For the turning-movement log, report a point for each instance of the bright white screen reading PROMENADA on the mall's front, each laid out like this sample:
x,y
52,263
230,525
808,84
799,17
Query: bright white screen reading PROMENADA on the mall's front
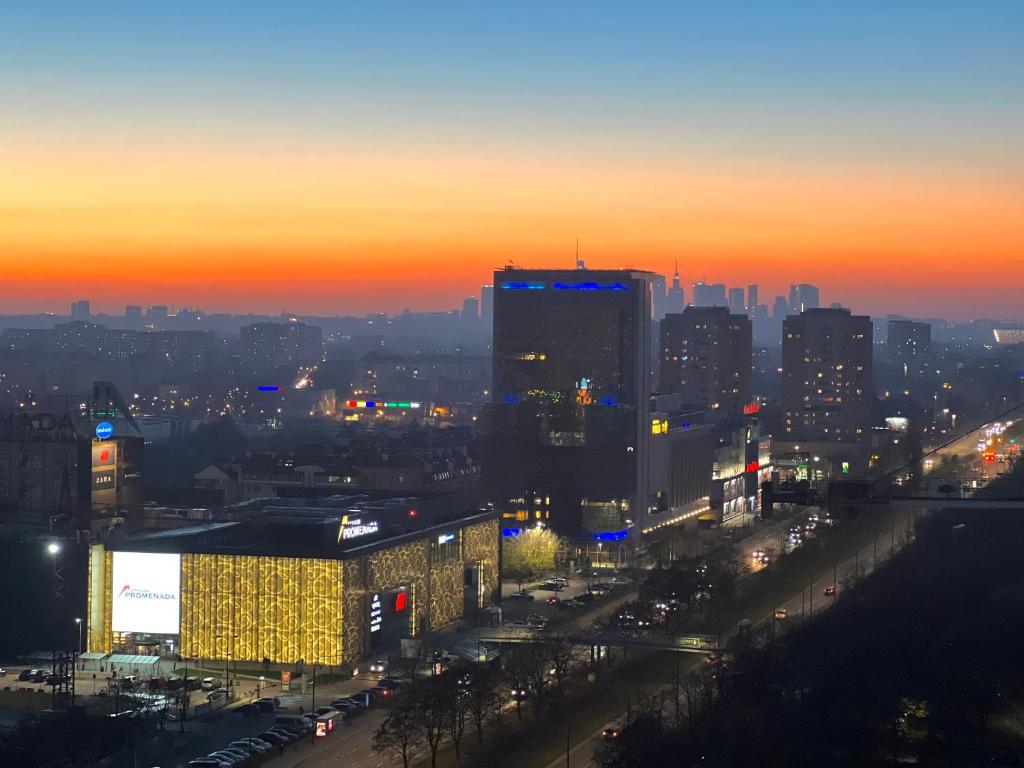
x,y
147,593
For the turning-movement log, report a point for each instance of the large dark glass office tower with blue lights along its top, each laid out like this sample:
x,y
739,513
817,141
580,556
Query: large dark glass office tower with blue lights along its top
x,y
568,432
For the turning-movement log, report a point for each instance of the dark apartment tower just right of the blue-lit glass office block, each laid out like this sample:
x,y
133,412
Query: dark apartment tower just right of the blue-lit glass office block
x,y
706,357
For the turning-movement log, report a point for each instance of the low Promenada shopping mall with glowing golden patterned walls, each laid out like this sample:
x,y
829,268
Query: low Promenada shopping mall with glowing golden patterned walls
x,y
324,582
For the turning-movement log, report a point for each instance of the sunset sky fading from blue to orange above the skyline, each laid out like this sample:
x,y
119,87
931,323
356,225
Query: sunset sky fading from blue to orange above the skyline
x,y
338,159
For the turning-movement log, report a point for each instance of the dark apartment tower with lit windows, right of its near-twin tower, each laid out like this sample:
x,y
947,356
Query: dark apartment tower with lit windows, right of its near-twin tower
x,y
827,376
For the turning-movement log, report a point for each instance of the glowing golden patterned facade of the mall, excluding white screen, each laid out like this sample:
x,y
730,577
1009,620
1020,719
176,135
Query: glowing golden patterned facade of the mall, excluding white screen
x,y
290,609
